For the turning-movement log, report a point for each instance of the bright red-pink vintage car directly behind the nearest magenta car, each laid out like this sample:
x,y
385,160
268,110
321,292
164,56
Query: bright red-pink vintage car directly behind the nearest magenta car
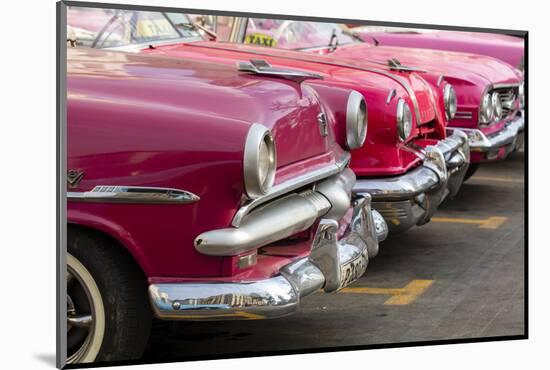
x,y
408,164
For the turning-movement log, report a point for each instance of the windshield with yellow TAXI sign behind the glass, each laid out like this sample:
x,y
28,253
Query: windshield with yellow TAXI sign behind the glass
x,y
295,35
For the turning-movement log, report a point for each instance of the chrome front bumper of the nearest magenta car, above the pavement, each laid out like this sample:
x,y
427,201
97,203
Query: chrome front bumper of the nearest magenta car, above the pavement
x,y
331,265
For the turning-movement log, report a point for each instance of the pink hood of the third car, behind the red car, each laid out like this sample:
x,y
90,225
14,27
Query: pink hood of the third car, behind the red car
x,y
476,69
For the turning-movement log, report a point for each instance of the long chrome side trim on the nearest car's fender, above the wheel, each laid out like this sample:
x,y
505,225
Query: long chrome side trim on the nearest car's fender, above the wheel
x,y
133,194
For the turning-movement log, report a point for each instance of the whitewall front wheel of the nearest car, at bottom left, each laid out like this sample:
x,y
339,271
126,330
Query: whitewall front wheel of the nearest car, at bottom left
x,y
108,312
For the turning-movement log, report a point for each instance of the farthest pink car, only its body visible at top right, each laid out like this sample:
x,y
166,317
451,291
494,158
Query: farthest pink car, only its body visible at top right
x,y
509,49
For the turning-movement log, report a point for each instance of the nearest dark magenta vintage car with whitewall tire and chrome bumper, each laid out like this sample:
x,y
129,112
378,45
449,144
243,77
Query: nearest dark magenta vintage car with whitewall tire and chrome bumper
x,y
182,204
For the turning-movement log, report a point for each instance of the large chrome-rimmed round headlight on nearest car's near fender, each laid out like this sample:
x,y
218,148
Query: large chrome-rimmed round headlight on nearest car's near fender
x,y
260,161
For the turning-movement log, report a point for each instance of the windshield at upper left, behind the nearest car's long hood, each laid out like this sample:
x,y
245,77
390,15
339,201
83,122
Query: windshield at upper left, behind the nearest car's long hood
x,y
105,28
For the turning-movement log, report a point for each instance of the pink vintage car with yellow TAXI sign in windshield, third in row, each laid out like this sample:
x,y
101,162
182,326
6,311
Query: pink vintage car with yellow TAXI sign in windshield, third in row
x,y
489,92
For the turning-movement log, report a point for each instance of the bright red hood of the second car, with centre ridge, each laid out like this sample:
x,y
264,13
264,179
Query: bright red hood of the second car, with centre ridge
x,y
358,72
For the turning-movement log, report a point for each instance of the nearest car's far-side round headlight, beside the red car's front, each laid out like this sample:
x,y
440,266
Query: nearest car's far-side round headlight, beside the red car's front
x,y
356,120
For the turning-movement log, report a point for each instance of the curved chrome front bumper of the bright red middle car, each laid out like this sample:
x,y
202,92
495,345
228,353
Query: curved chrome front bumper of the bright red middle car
x,y
410,199
